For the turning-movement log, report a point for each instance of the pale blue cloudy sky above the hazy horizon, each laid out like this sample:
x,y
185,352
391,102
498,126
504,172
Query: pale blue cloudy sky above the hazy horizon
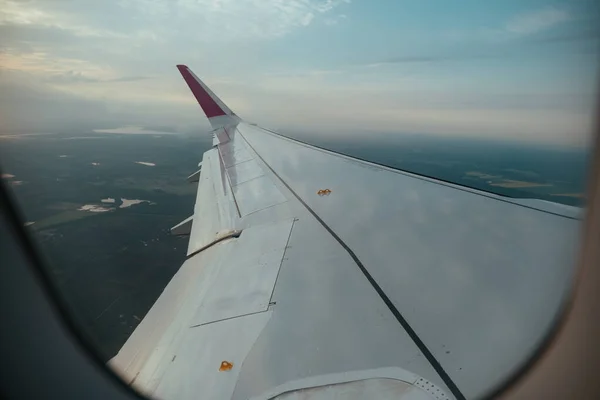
x,y
510,69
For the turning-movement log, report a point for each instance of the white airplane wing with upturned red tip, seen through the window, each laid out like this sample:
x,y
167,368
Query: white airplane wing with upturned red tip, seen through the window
x,y
311,273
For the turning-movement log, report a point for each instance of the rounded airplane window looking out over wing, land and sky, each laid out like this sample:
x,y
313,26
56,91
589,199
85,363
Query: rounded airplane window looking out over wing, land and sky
x,y
438,209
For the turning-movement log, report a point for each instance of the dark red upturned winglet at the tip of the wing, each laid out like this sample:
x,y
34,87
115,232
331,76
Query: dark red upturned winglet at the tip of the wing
x,y
216,111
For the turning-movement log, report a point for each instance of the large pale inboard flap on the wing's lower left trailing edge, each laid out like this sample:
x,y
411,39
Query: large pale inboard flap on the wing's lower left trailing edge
x,y
212,310
